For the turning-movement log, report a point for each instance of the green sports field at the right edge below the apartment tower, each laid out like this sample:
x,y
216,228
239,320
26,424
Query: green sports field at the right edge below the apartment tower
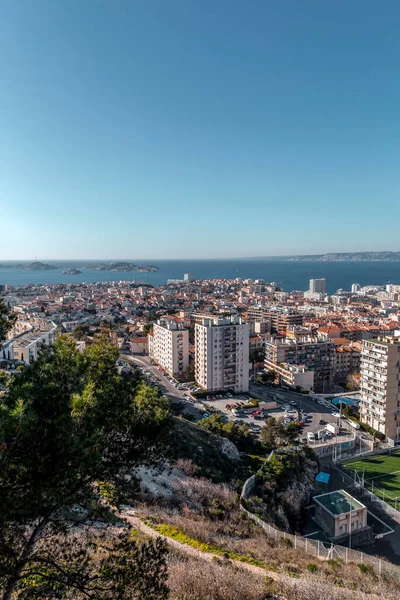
x,y
381,475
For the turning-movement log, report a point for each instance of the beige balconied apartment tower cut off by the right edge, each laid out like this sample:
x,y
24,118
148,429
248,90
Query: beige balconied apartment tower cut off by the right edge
x,y
380,370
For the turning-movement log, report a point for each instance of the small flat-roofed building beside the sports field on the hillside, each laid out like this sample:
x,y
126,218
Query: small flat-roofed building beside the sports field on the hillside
x,y
340,515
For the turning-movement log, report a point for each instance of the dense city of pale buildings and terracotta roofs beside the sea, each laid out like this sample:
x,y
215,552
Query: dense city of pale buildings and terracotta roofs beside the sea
x,y
223,335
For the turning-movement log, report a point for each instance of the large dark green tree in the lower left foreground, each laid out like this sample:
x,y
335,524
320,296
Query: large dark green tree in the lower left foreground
x,y
69,421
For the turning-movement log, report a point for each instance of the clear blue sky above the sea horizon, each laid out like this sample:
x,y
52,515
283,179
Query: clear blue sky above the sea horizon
x,y
198,128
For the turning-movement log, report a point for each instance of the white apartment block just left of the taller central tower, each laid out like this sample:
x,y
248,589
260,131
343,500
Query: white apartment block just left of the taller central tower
x,y
169,346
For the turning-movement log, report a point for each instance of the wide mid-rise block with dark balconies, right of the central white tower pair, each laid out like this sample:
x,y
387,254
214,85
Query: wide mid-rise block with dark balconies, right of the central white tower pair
x,y
309,352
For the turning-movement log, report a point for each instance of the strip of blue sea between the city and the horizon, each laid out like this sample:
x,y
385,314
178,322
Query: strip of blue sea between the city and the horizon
x,y
292,275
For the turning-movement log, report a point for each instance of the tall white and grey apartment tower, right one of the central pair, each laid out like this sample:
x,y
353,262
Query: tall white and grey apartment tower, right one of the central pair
x,y
222,353
